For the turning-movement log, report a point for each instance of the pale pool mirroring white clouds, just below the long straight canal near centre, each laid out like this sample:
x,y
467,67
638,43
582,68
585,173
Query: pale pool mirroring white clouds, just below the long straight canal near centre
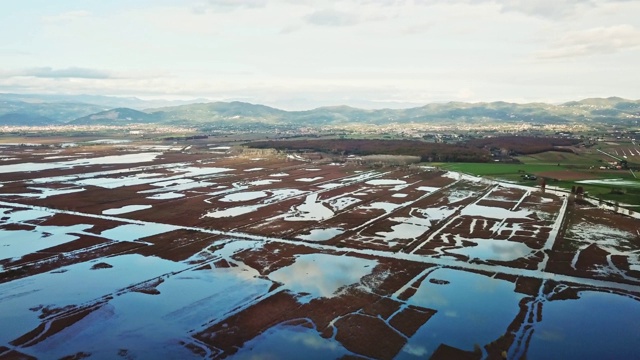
x,y
322,275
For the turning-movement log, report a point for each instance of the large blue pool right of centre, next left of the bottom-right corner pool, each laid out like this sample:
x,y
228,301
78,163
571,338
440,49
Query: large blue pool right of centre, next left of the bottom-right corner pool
x,y
471,309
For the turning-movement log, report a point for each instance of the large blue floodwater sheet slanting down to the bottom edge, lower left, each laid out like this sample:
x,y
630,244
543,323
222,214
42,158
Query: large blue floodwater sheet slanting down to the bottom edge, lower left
x,y
159,321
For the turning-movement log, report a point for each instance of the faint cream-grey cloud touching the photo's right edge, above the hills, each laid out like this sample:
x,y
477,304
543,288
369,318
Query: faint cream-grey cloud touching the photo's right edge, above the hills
x,y
600,40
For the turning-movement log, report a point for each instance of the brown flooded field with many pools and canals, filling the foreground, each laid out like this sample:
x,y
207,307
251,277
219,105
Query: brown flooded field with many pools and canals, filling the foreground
x,y
119,250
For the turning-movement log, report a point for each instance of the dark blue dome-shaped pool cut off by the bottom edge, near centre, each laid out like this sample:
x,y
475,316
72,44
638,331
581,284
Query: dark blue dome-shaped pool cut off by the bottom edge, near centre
x,y
284,342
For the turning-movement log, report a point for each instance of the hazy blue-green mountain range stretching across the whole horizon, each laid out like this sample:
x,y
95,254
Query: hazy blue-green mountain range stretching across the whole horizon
x,y
38,110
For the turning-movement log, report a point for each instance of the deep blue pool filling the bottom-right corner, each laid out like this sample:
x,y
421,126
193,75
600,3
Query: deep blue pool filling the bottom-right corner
x,y
598,325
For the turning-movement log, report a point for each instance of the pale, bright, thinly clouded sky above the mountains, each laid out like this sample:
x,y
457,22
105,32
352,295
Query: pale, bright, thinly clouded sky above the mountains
x,y
301,54
